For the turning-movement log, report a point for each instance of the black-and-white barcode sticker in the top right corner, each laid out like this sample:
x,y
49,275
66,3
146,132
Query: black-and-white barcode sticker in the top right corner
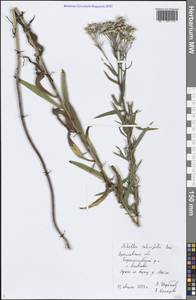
x,y
167,14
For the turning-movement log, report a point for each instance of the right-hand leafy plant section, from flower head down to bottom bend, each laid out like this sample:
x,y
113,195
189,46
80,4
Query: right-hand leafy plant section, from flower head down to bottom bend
x,y
120,37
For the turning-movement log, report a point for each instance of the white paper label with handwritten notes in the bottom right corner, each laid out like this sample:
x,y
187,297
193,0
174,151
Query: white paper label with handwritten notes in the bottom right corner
x,y
155,270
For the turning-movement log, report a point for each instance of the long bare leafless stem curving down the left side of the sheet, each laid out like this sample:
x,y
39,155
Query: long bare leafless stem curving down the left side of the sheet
x,y
25,128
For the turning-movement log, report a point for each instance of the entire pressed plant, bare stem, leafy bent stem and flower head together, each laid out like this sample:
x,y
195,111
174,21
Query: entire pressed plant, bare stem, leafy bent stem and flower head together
x,y
120,37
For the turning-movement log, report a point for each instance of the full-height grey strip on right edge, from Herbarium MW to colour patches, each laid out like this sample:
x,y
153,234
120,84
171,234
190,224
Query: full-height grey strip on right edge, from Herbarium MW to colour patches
x,y
191,148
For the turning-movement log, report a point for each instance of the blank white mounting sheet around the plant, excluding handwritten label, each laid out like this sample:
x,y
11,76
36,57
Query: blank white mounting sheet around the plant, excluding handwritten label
x,y
35,263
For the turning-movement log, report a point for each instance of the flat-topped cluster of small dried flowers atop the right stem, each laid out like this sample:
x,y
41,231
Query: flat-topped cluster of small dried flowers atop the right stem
x,y
118,32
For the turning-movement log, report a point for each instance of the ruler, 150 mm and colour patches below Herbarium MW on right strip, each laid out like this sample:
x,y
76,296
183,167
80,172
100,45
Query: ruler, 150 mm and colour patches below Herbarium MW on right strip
x,y
191,188
